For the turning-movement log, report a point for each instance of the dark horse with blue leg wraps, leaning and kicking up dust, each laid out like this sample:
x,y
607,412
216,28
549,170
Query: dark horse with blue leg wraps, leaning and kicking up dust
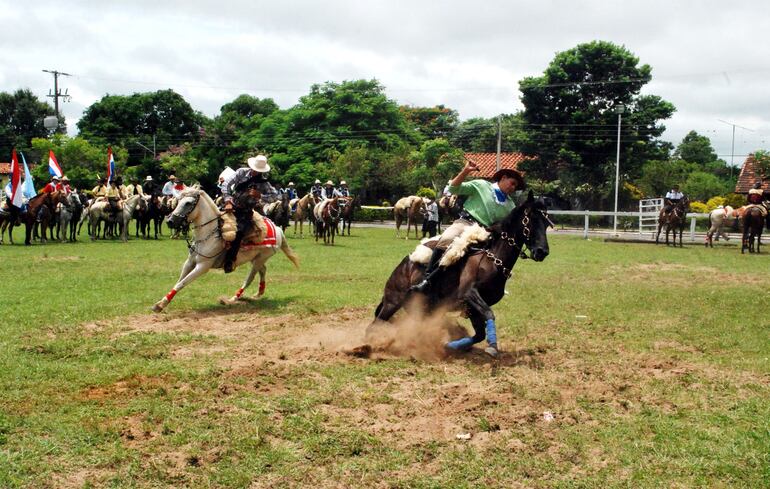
x,y
477,281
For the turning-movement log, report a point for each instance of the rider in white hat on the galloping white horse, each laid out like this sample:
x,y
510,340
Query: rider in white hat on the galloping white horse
x,y
242,192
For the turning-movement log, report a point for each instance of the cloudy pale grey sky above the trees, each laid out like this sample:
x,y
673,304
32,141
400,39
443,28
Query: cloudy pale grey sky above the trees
x,y
711,59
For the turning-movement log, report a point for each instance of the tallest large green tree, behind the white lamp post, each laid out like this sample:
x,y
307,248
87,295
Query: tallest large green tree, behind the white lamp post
x,y
571,126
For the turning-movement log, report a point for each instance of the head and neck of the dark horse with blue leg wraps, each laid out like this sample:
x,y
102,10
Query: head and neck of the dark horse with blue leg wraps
x,y
527,225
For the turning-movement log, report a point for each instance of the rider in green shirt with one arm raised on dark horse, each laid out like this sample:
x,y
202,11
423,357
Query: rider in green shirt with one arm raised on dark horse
x,y
486,204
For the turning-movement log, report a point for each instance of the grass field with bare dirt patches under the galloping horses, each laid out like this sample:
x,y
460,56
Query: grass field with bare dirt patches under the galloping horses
x,y
654,363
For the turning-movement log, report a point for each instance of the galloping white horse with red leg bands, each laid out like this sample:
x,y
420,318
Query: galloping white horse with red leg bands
x,y
208,248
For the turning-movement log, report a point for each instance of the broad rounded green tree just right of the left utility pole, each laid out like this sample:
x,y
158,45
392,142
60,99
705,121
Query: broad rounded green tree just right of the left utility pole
x,y
161,119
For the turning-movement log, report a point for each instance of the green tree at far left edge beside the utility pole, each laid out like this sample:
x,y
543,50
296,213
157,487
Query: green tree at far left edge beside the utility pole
x,y
21,120
